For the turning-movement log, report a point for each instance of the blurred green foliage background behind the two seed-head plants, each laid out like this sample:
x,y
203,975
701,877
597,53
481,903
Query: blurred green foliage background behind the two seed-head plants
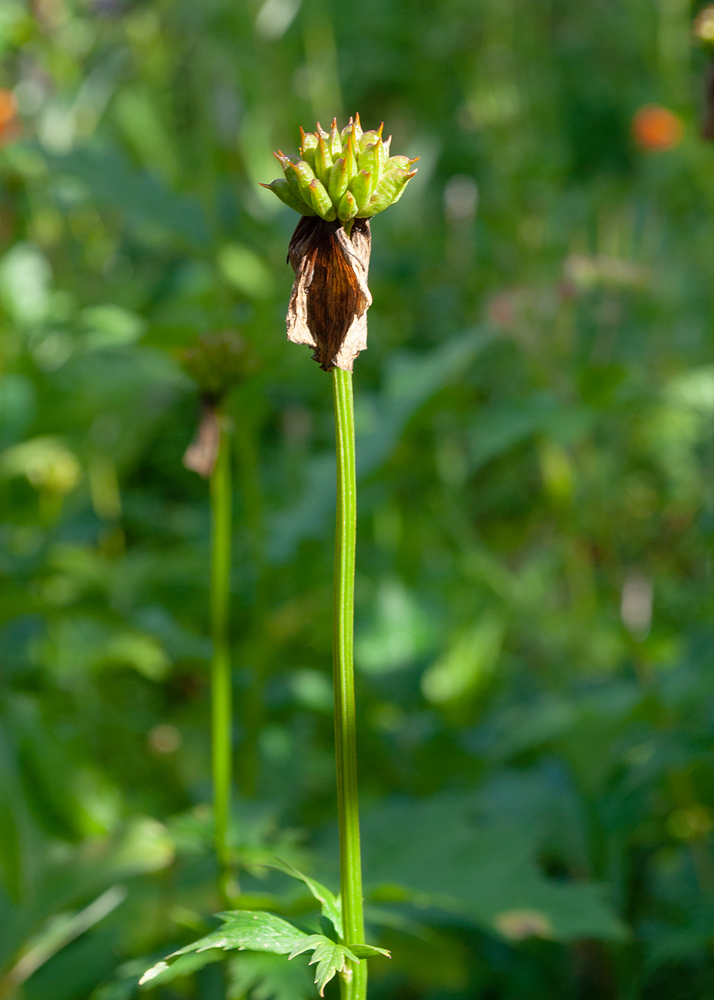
x,y
534,619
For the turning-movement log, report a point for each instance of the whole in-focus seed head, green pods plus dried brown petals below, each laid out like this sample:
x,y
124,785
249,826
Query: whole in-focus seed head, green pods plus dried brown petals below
x,y
339,181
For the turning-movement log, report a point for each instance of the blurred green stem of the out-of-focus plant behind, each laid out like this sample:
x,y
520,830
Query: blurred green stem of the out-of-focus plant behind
x,y
221,686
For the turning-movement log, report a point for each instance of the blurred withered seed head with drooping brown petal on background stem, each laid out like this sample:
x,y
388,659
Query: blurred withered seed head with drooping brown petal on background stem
x,y
216,362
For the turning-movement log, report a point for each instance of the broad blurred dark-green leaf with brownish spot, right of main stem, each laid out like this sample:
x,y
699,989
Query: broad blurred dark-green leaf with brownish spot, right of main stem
x,y
460,861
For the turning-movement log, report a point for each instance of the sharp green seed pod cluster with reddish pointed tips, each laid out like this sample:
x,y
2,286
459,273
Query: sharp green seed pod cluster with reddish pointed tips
x,y
343,175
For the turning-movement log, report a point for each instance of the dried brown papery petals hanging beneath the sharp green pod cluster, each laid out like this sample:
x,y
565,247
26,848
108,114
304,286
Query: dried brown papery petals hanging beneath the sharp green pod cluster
x,y
330,297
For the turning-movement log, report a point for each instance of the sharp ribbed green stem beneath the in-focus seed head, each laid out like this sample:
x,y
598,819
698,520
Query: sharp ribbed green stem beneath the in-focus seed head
x,y
354,987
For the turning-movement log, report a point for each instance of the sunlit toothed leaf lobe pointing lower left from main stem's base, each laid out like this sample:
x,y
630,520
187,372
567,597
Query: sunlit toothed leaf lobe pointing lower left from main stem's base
x,y
241,930
